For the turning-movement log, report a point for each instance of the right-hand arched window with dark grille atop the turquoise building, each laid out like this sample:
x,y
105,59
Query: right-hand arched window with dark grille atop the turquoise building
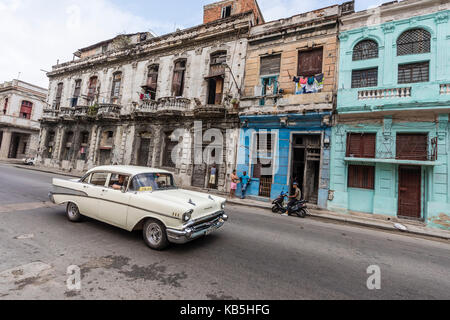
x,y
413,42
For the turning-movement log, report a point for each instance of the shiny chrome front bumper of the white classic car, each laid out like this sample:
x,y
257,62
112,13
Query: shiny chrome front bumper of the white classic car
x,y
196,229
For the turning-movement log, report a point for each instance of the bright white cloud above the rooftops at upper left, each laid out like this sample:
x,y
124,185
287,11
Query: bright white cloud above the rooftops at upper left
x,y
35,34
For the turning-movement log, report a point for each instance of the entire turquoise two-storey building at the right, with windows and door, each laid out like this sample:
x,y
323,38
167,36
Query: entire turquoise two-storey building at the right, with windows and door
x,y
390,142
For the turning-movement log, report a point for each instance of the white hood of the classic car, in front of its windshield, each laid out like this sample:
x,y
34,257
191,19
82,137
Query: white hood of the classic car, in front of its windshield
x,y
202,203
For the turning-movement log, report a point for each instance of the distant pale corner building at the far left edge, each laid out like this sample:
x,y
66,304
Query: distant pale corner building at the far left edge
x,y
21,106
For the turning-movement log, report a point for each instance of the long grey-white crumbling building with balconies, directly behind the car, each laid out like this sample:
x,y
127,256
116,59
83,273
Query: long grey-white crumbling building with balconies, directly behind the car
x,y
124,99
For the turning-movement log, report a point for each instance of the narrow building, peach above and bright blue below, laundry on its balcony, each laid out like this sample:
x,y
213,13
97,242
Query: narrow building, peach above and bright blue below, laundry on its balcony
x,y
289,97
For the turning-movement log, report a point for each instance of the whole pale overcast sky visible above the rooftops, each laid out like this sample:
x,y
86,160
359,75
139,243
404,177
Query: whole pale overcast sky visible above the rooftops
x,y
36,33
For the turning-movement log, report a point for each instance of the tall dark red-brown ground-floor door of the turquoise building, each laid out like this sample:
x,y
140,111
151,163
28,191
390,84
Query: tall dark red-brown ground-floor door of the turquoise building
x,y
409,195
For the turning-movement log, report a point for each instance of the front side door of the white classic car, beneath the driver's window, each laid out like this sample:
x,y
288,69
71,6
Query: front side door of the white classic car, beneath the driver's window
x,y
113,206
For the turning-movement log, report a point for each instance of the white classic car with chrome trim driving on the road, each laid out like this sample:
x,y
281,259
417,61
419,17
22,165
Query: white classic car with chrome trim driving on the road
x,y
140,198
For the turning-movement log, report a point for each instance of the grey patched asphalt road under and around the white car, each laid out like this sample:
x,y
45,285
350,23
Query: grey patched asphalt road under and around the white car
x,y
256,255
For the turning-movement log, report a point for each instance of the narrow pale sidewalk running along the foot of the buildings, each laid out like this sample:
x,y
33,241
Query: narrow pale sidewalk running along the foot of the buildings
x,y
361,219
